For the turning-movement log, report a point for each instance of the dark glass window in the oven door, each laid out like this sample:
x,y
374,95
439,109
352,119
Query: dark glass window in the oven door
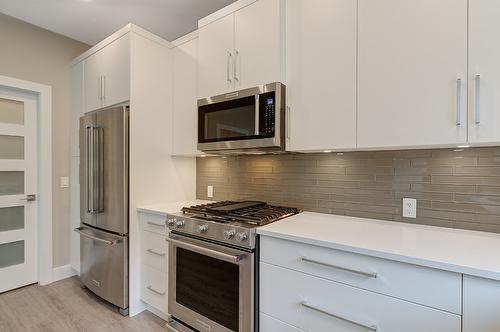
x,y
208,286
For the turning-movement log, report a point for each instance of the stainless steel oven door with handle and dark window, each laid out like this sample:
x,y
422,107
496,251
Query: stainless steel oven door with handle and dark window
x,y
211,287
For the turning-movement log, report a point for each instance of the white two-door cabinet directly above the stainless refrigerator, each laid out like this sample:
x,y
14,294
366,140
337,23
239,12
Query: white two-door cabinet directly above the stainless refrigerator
x,y
107,75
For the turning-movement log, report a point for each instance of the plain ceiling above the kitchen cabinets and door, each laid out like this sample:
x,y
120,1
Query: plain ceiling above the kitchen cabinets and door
x,y
90,21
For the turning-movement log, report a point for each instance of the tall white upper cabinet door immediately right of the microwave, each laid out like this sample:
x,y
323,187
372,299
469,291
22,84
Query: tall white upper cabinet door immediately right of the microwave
x,y
321,74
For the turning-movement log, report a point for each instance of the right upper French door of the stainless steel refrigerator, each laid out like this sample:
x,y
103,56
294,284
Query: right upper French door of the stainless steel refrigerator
x,y
111,140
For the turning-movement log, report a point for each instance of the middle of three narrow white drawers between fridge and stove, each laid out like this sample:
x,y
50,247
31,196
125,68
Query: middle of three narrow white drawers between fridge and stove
x,y
154,251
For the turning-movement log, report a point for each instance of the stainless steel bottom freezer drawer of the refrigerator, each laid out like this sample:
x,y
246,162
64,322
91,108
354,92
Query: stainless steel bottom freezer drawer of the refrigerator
x,y
104,264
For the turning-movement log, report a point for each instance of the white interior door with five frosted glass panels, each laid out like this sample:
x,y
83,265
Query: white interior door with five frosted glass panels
x,y
18,179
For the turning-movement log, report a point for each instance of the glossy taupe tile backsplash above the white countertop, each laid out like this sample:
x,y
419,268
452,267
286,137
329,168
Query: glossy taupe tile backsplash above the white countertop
x,y
454,188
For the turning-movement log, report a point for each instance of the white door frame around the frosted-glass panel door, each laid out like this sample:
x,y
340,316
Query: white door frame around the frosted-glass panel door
x,y
44,172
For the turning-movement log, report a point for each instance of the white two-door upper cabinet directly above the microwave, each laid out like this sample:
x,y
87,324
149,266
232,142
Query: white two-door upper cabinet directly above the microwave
x,y
241,50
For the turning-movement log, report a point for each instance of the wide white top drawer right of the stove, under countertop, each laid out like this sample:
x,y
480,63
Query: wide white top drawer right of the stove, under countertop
x,y
430,287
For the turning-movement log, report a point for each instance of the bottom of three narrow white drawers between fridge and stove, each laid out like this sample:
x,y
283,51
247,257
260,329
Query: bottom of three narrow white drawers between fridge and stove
x,y
154,288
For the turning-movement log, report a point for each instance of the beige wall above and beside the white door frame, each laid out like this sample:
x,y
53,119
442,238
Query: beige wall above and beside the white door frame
x,y
34,54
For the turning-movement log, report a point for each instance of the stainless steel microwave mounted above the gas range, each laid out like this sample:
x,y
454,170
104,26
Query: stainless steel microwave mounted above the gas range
x,y
250,120
